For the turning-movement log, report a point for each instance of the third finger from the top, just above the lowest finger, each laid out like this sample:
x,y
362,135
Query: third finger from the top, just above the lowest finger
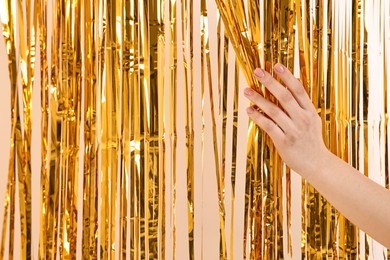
x,y
270,109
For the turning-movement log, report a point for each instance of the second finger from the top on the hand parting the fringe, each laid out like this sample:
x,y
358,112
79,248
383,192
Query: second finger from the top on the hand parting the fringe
x,y
284,96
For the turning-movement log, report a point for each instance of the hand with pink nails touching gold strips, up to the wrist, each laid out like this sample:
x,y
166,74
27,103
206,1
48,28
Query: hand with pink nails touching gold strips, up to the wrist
x,y
296,131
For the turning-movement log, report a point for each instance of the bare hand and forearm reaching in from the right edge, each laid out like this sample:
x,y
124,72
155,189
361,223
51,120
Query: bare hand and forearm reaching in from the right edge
x,y
297,136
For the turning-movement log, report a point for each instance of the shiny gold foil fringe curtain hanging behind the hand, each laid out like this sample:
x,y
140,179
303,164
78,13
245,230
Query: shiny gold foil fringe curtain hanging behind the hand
x,y
124,134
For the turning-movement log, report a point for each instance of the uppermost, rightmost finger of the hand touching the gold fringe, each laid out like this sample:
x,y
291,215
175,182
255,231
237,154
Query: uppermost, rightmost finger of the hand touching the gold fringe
x,y
295,86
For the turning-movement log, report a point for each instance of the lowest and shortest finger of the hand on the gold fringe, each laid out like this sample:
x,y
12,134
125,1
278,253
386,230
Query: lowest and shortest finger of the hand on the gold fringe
x,y
266,124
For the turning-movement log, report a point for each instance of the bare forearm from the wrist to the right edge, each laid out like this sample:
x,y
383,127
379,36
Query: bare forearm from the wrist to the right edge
x,y
364,202
